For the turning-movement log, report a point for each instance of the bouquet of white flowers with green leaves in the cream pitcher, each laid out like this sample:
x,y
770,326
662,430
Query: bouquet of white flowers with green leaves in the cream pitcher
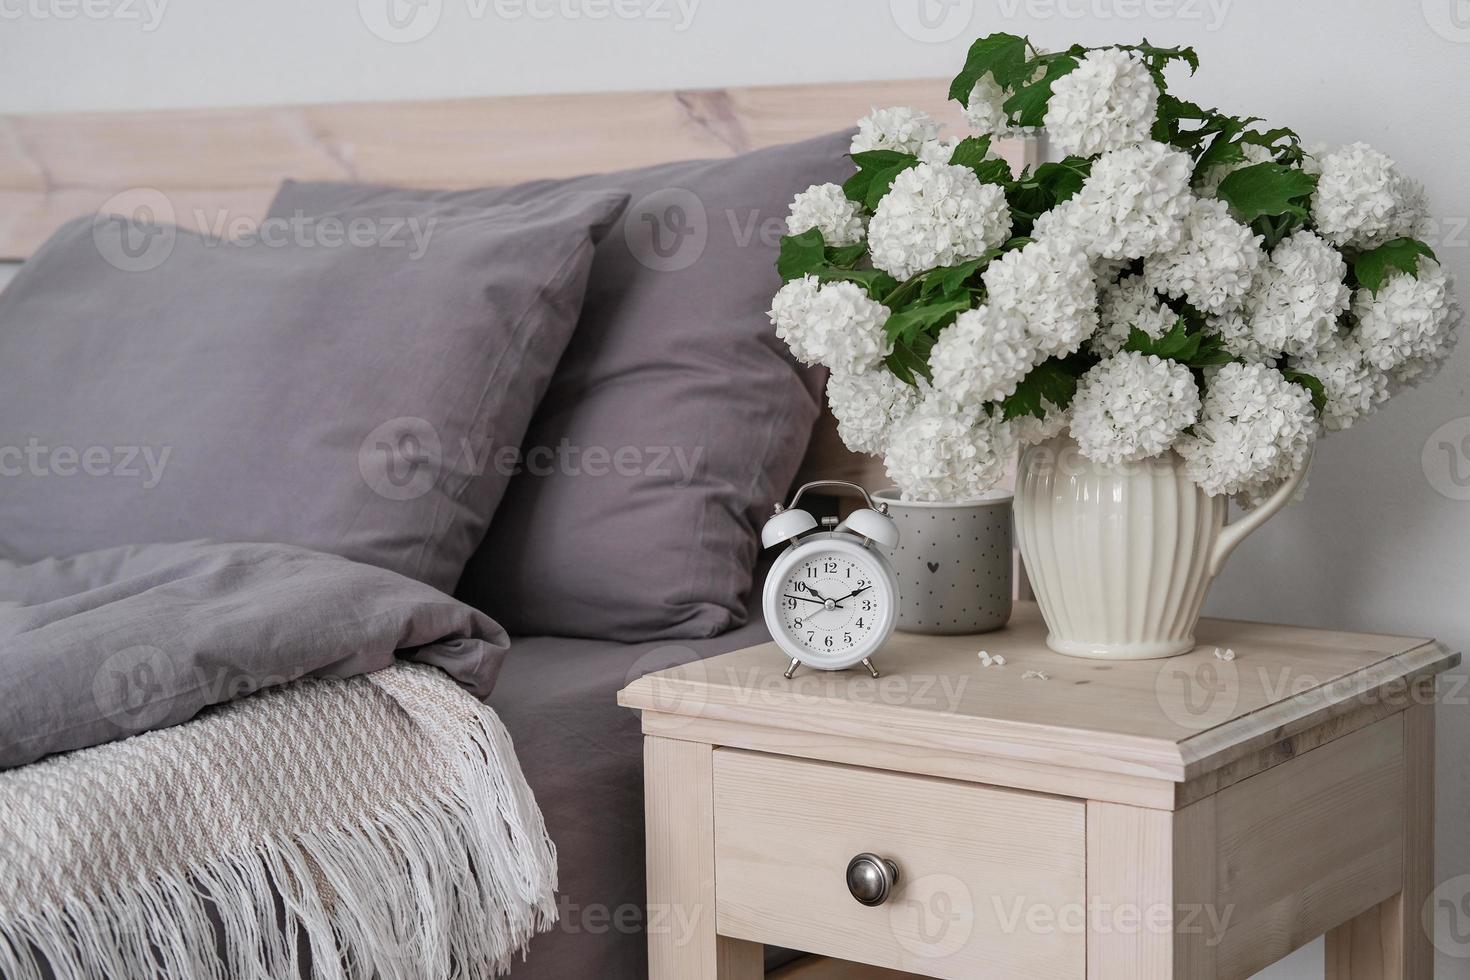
x,y
1183,280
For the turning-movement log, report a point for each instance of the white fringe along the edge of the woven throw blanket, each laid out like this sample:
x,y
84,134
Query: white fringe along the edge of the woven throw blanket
x,y
451,888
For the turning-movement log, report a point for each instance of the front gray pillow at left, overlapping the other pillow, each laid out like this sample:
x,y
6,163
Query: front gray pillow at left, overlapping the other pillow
x,y
343,387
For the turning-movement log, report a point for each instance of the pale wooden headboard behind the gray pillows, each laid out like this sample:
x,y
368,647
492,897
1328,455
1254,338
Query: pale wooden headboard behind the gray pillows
x,y
215,167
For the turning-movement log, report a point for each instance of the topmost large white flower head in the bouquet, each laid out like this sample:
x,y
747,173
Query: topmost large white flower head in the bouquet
x,y
1108,102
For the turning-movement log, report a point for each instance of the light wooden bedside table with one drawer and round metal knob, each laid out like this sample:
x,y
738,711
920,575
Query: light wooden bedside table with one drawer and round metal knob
x,y
1191,818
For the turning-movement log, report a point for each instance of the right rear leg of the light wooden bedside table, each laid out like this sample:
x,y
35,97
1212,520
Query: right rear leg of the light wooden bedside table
x,y
1388,943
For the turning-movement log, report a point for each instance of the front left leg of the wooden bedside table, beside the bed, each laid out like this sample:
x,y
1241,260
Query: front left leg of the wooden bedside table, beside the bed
x,y
680,829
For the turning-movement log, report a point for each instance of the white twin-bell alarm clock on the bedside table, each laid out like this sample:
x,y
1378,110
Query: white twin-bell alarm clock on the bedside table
x,y
831,600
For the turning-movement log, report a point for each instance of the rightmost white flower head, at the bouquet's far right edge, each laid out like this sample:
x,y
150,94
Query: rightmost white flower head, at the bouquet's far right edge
x,y
1410,318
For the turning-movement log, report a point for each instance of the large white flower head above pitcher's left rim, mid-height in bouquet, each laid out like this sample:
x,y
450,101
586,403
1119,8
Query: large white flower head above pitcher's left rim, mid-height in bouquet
x,y
1050,284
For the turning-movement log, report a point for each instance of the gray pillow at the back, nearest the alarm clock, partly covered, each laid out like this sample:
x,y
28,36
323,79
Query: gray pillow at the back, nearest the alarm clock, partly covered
x,y
675,418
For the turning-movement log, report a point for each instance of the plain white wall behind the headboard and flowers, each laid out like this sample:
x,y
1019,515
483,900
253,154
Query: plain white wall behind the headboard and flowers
x,y
1384,537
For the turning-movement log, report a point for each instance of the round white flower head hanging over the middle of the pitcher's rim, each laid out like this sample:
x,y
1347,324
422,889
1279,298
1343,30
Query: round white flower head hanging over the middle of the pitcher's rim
x,y
1133,408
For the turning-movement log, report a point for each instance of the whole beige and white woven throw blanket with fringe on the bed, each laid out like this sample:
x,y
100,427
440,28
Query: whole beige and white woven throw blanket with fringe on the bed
x,y
377,826
